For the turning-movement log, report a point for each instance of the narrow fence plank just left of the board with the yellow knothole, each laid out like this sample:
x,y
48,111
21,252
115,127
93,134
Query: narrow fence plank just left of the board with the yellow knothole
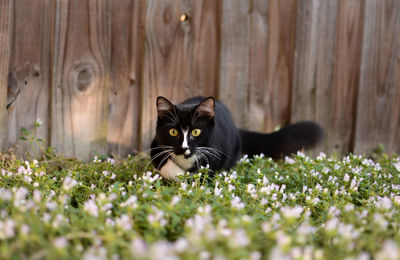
x,y
127,48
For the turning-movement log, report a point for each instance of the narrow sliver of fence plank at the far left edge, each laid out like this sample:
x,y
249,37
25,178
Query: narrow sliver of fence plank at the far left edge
x,y
5,28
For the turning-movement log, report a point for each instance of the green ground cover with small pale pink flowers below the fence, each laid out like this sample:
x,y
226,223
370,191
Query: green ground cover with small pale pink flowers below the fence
x,y
298,208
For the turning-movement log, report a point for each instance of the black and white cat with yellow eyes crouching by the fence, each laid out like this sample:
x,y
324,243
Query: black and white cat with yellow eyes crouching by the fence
x,y
200,132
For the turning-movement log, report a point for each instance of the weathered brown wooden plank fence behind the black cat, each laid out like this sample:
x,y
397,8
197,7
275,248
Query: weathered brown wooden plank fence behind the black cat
x,y
91,70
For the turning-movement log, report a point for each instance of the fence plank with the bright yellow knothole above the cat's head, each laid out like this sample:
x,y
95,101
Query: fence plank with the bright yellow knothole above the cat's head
x,y
181,55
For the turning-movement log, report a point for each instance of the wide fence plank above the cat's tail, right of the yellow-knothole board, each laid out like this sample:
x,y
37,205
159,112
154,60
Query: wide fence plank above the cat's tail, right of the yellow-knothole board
x,y
257,61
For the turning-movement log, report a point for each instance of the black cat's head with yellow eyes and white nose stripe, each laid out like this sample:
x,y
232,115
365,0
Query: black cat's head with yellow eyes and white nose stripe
x,y
184,127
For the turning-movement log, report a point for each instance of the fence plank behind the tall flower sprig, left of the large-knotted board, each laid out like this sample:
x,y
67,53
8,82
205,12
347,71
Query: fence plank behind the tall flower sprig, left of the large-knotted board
x,y
29,72
